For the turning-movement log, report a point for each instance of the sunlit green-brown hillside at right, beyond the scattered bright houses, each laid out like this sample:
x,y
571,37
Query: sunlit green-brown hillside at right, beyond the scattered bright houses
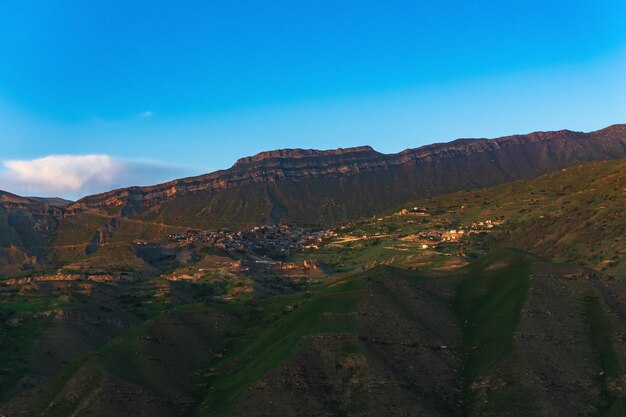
x,y
575,215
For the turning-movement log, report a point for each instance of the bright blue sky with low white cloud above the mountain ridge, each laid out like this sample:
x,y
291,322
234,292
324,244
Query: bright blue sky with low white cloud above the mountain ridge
x,y
154,90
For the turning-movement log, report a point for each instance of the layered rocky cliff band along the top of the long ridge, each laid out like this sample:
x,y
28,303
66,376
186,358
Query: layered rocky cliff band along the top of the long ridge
x,y
517,156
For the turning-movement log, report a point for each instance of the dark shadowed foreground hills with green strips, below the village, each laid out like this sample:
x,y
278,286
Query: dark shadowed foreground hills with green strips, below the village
x,y
508,335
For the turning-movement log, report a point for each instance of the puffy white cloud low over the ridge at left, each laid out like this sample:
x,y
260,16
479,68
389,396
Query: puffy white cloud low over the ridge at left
x,y
72,176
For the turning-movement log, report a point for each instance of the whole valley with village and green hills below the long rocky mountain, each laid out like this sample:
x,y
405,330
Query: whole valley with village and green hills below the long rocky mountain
x,y
507,299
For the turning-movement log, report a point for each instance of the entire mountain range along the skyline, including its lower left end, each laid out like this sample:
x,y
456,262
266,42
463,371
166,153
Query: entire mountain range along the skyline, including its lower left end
x,y
305,187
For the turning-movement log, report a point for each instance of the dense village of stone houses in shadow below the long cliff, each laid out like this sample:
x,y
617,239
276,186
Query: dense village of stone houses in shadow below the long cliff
x,y
274,241
